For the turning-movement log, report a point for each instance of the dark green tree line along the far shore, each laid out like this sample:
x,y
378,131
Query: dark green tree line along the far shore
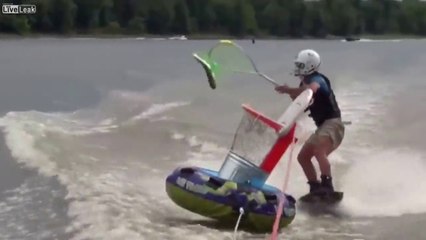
x,y
292,18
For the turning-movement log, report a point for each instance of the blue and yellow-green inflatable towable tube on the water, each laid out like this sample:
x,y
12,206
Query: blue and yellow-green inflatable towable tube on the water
x,y
202,191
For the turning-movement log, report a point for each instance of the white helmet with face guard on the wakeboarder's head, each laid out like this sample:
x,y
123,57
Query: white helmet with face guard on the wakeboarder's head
x,y
307,62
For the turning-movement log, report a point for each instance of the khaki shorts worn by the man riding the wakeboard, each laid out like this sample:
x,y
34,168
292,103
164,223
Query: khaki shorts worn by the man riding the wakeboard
x,y
332,128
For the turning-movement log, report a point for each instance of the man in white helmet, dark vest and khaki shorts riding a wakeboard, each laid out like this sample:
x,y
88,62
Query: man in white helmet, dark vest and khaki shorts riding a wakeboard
x,y
326,114
